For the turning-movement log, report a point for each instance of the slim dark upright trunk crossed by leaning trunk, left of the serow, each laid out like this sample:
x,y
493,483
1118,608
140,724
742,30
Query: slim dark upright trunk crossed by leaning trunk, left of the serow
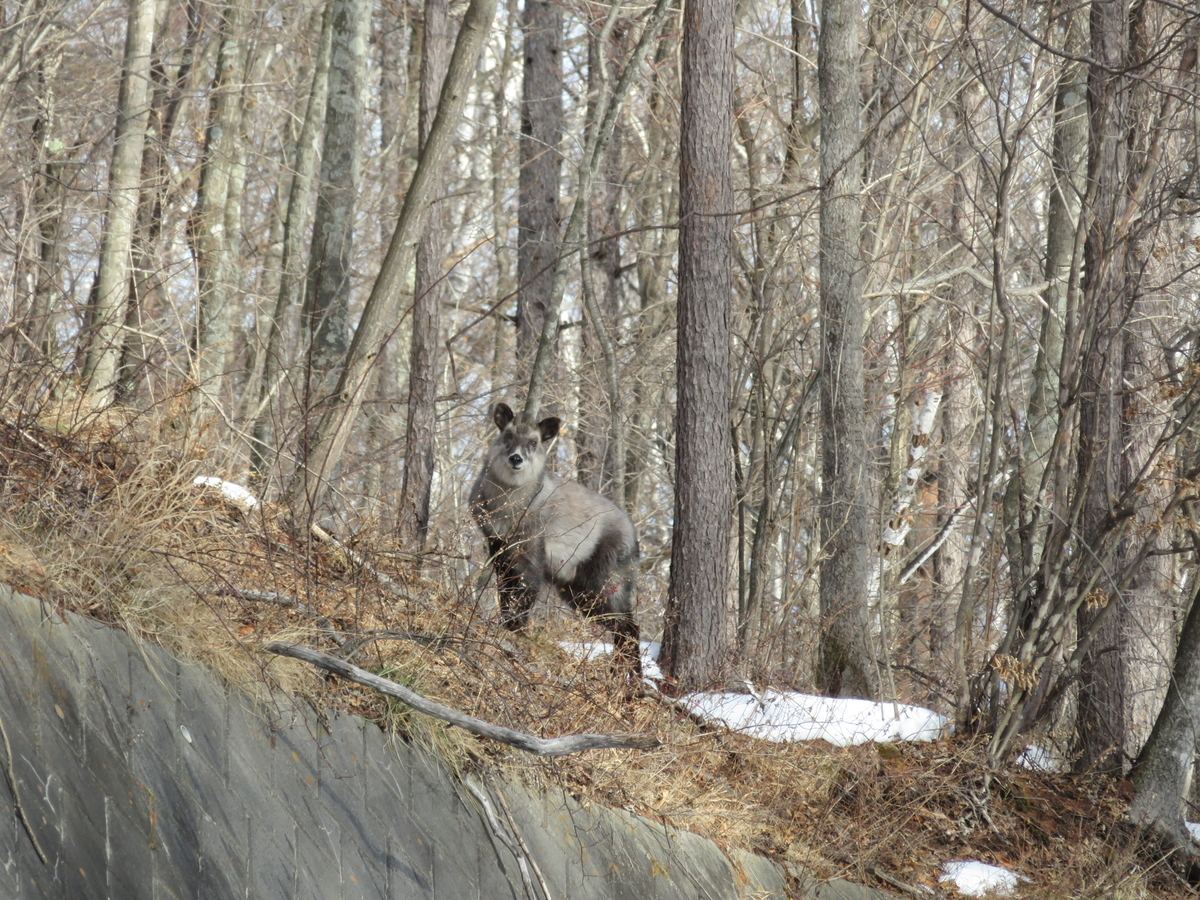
x,y
425,359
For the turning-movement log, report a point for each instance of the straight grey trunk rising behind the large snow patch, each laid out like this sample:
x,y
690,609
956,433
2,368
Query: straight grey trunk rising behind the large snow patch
x,y
847,668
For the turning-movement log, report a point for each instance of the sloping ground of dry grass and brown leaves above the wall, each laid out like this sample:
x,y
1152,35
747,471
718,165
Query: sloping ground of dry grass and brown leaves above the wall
x,y
116,529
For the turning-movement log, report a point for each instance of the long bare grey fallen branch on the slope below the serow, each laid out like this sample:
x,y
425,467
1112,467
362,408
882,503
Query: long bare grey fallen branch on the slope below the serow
x,y
538,747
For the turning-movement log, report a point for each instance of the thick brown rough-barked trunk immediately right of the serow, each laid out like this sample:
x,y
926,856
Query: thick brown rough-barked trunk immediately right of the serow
x,y
698,644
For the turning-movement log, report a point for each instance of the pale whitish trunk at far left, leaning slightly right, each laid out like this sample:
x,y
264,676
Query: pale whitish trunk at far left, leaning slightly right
x,y
124,190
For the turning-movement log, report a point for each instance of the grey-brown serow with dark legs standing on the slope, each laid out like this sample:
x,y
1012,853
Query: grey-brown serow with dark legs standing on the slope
x,y
543,531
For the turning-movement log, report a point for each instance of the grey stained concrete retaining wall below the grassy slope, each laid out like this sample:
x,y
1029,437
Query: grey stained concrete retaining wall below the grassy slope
x,y
143,777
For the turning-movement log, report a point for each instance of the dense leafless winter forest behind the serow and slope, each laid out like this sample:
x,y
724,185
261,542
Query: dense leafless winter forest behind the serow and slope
x,y
938,263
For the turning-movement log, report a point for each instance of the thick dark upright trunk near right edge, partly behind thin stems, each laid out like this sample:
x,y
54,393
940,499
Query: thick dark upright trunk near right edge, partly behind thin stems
x,y
1109,440
